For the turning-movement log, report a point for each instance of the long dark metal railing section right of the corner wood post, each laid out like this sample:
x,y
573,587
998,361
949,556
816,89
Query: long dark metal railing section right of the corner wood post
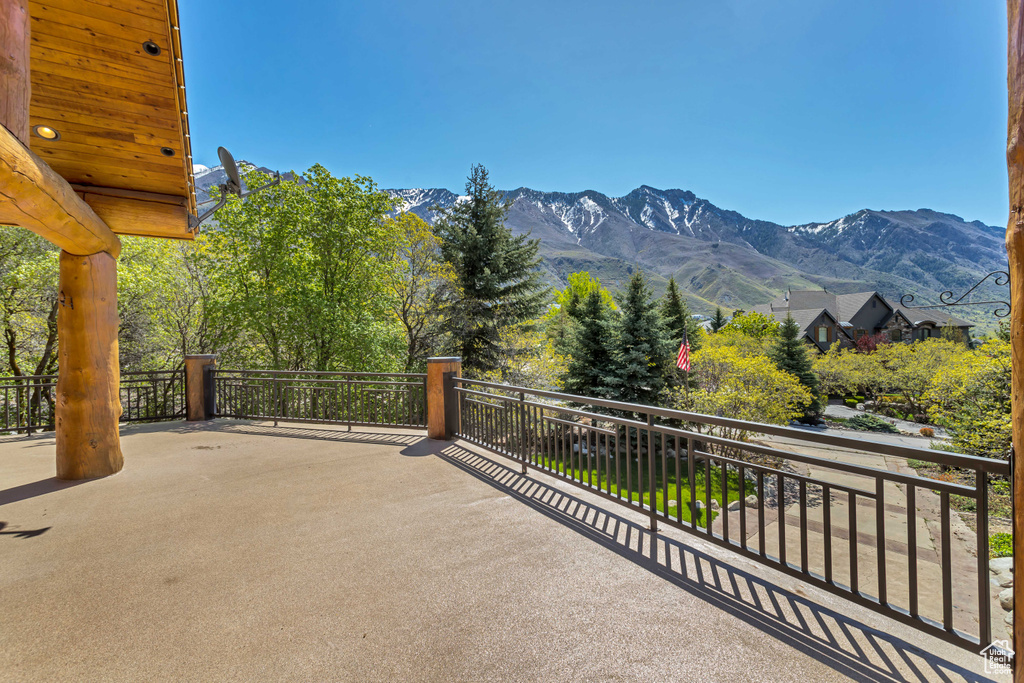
x,y
841,514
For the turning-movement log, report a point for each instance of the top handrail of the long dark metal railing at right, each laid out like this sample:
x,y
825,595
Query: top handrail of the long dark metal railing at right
x,y
941,457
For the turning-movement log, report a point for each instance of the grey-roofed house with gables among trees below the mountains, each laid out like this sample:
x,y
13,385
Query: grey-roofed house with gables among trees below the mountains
x,y
826,318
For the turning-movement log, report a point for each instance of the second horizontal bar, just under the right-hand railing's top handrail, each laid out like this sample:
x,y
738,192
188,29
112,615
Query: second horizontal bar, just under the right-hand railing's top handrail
x,y
910,480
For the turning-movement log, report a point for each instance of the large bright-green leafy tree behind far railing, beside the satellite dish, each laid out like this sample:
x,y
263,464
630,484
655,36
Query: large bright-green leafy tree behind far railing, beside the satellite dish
x,y
304,272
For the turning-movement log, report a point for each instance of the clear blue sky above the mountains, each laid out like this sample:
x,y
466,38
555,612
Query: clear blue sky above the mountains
x,y
792,111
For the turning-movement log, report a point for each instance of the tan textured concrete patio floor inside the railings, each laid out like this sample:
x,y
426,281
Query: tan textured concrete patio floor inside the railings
x,y
241,551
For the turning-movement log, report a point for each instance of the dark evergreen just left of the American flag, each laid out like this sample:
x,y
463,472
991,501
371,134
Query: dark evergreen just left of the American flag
x,y
642,354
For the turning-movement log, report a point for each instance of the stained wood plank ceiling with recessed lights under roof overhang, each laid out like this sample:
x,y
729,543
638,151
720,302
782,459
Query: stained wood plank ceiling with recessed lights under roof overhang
x,y
119,108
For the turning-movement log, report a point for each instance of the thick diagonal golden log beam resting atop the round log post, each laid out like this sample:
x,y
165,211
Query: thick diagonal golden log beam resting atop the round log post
x,y
33,196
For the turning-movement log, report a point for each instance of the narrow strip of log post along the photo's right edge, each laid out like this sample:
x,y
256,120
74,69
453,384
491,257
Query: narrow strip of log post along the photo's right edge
x,y
1015,254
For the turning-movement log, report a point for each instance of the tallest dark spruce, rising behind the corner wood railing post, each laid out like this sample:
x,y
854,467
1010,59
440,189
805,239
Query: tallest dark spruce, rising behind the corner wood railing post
x,y
497,272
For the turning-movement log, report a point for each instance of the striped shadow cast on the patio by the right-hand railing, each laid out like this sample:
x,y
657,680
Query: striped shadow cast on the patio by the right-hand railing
x,y
846,645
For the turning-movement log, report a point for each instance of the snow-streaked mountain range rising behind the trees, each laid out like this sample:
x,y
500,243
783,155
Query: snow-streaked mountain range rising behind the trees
x,y
722,258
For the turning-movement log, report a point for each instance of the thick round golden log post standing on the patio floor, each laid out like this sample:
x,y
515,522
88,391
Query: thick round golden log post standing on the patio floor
x,y
89,405
